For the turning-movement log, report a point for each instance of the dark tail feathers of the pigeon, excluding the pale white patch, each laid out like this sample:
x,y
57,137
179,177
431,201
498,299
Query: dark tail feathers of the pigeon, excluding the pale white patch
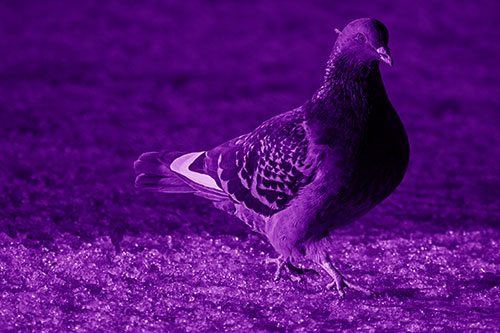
x,y
154,174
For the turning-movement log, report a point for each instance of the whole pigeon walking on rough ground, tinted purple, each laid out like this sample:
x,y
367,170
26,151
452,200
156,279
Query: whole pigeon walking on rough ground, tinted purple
x,y
303,174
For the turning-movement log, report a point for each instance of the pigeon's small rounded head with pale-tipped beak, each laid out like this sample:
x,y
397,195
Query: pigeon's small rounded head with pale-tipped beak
x,y
365,39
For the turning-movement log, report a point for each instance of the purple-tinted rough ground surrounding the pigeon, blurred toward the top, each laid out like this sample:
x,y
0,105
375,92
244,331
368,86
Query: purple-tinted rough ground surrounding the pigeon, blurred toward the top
x,y
85,89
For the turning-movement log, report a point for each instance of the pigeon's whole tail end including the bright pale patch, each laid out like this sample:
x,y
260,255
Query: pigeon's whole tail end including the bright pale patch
x,y
172,172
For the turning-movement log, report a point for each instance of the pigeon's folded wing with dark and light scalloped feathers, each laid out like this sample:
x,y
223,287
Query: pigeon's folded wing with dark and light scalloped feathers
x,y
265,169
